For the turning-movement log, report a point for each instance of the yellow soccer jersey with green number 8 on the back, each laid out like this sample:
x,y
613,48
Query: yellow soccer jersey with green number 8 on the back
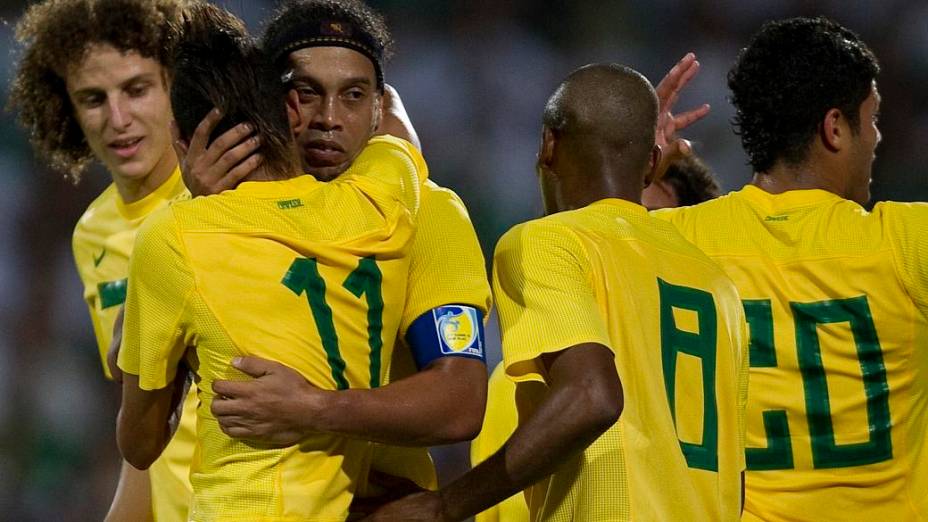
x,y
610,274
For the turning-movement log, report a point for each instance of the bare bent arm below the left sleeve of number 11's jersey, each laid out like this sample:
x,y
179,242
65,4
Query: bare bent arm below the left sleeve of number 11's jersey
x,y
148,418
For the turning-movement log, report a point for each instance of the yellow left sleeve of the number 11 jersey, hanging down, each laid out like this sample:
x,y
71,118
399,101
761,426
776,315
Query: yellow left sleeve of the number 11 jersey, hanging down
x,y
157,326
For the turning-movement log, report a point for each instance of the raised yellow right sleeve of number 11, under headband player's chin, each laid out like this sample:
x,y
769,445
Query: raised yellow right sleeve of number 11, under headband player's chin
x,y
391,167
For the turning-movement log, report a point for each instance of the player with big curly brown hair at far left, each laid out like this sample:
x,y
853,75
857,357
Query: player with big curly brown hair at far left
x,y
93,85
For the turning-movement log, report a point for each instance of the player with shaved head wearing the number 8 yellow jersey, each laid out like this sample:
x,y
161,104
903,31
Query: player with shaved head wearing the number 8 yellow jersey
x,y
607,314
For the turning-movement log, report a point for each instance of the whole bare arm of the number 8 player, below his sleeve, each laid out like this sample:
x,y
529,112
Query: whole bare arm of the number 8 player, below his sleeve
x,y
583,380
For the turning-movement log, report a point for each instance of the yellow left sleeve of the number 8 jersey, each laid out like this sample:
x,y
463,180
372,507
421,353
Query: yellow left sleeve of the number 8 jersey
x,y
545,296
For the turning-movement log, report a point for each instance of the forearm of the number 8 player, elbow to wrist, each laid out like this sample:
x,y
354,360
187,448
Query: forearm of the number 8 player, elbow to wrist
x,y
565,424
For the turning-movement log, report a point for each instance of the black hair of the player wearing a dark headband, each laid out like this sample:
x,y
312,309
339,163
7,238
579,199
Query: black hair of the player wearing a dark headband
x,y
299,24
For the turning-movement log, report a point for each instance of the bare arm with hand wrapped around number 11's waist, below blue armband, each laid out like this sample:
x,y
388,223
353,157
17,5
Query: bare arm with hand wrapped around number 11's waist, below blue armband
x,y
280,407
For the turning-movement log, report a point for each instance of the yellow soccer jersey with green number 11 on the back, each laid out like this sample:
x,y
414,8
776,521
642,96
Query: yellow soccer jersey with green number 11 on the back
x,y
309,274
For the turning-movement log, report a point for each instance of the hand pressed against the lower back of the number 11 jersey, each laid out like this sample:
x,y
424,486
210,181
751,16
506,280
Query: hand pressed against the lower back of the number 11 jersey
x,y
274,408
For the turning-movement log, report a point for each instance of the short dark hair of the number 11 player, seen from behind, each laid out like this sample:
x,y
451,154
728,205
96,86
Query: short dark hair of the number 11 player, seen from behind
x,y
219,65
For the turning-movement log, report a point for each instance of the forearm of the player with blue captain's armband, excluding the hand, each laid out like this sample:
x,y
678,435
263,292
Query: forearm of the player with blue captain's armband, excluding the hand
x,y
442,404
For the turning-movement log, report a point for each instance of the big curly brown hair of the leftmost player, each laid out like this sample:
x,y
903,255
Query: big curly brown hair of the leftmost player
x,y
55,35
